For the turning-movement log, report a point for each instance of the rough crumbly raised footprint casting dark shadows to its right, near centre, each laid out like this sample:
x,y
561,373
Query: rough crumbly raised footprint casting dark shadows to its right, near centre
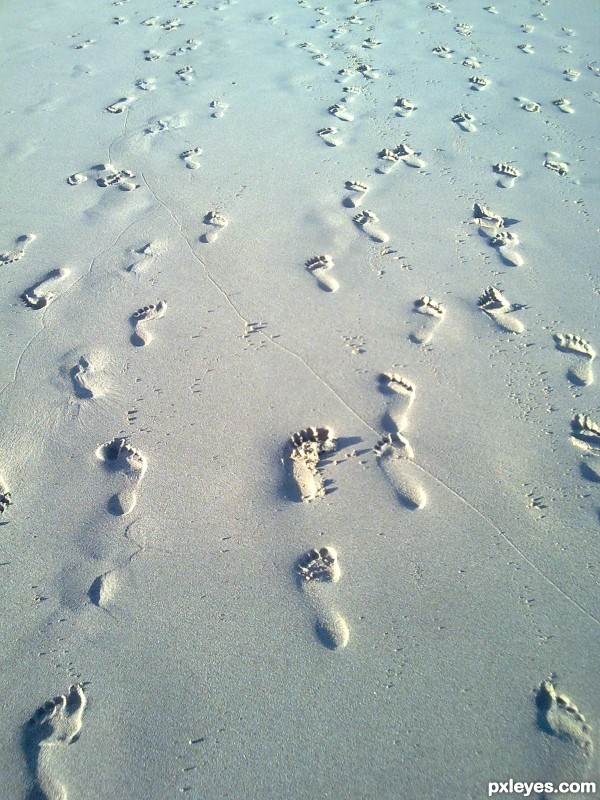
x,y
304,453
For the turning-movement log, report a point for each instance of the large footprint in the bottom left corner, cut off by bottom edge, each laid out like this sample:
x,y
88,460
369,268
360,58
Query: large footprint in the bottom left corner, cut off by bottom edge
x,y
55,724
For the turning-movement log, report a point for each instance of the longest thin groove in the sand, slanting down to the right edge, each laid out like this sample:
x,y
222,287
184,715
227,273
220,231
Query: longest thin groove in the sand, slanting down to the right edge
x,y
354,413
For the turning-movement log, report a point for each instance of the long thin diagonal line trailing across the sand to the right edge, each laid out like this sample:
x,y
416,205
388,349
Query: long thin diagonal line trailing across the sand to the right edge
x,y
505,536
